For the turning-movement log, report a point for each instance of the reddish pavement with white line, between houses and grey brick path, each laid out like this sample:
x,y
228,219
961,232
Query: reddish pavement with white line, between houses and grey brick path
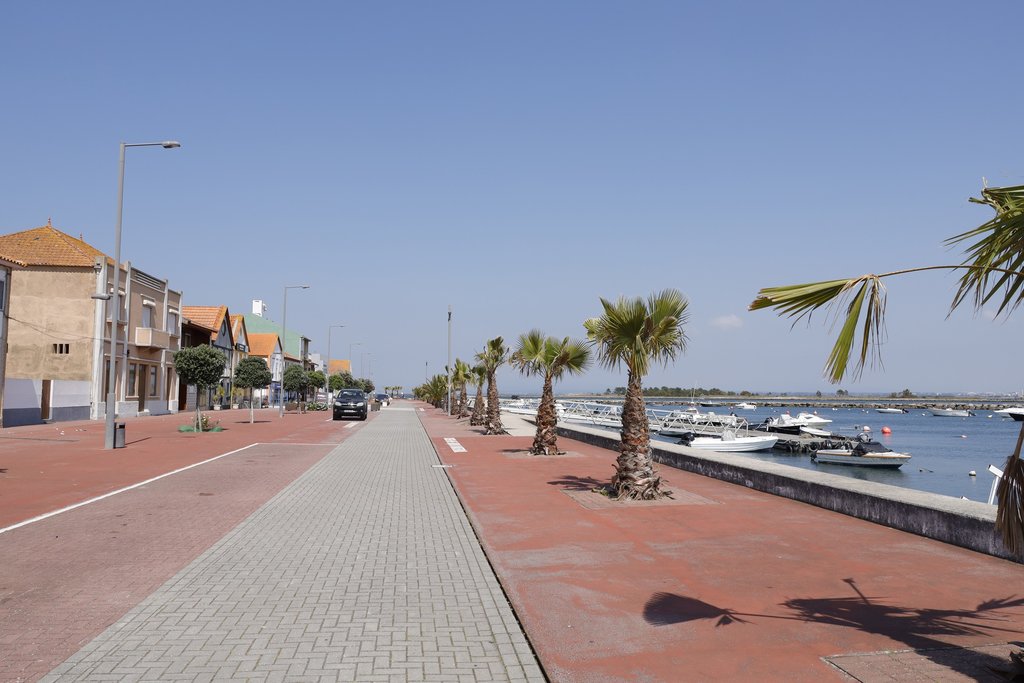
x,y
66,579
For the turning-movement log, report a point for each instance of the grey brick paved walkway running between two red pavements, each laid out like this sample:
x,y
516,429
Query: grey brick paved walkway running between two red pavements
x,y
365,569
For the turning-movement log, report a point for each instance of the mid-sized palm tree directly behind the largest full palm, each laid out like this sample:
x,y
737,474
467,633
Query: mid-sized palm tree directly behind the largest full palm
x,y
537,355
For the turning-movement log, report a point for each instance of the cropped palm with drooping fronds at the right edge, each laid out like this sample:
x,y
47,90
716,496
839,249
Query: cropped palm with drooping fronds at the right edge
x,y
992,273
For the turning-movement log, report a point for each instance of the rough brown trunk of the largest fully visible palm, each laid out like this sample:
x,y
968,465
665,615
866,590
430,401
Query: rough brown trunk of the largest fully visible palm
x,y
635,478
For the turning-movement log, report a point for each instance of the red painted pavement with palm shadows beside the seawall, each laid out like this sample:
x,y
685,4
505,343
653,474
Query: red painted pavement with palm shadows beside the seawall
x,y
724,584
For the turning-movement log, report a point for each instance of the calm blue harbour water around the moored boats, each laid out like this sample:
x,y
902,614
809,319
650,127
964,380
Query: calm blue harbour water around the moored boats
x,y
945,450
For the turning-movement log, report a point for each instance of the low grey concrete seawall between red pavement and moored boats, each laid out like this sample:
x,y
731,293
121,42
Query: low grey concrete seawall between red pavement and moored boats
x,y
965,524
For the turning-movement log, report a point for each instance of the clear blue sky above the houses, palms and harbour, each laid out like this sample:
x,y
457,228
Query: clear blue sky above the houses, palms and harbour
x,y
521,160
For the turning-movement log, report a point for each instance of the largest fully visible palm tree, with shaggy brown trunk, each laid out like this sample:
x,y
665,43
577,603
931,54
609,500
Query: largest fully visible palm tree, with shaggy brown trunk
x,y
635,333
